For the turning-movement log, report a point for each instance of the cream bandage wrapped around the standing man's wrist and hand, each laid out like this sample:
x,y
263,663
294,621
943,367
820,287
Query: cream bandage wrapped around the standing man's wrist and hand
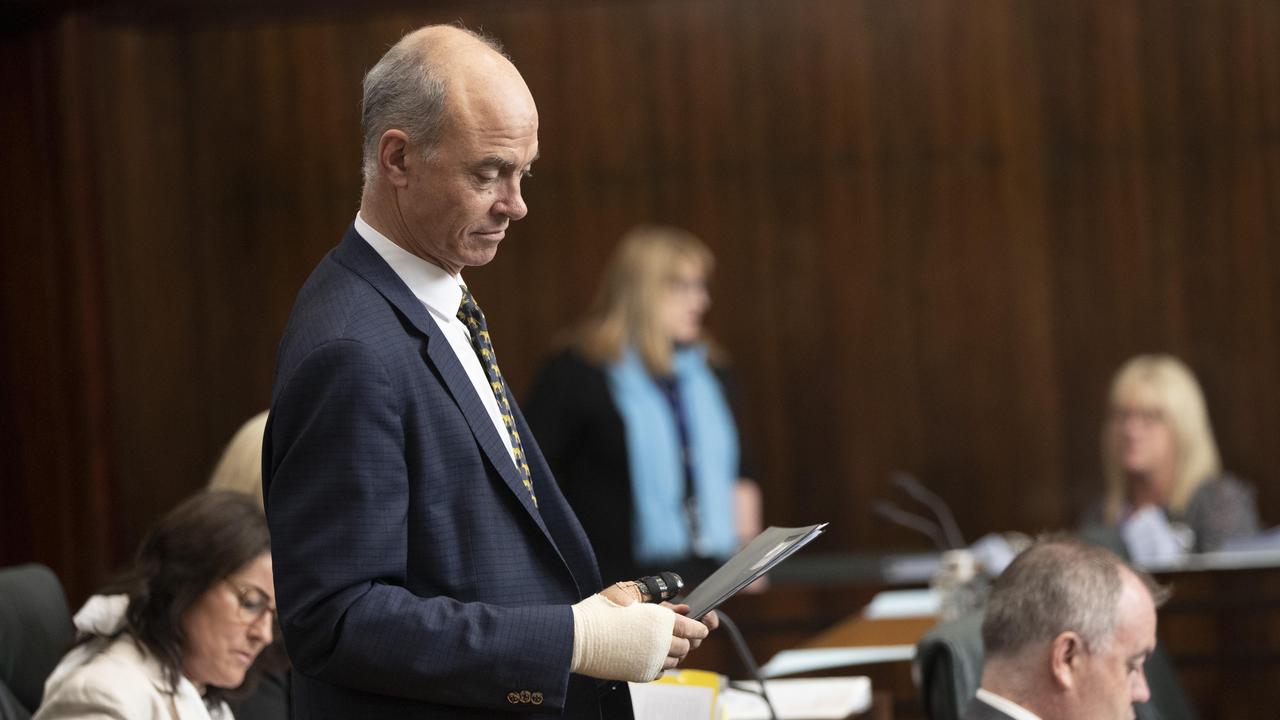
x,y
615,642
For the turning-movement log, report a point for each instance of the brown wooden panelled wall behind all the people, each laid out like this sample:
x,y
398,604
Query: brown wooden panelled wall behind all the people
x,y
940,227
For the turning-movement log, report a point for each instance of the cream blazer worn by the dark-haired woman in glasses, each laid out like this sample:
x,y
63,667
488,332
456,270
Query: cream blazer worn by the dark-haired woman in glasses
x,y
113,680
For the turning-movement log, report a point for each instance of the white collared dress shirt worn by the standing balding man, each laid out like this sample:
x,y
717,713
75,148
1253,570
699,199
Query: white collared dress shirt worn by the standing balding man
x,y
442,295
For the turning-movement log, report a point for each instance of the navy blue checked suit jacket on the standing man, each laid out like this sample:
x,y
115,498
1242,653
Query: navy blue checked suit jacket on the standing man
x,y
414,576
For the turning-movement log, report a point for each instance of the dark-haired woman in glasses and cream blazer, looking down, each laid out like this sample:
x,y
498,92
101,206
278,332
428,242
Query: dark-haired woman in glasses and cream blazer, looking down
x,y
185,623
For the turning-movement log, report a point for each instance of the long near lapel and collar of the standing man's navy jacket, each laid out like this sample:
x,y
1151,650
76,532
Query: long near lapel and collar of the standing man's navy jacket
x,y
364,261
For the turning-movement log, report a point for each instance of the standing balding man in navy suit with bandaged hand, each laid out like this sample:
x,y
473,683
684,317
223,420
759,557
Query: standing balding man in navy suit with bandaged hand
x,y
427,564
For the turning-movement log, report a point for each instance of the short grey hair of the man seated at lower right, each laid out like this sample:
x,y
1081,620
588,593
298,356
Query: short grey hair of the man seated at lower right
x,y
1058,585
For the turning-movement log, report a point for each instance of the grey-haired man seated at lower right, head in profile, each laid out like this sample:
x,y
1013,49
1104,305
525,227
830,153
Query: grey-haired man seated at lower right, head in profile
x,y
1067,632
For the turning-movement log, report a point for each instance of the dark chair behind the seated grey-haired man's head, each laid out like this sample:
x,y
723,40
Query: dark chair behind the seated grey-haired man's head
x,y
949,671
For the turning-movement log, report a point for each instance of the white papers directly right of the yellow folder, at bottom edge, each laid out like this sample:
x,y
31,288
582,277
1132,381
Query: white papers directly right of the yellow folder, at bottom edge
x,y
812,699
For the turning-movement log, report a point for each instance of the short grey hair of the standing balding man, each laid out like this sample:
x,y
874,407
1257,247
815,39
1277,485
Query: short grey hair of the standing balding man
x,y
406,92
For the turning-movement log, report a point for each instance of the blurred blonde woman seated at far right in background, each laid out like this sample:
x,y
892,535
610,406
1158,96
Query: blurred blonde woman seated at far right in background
x,y
1167,493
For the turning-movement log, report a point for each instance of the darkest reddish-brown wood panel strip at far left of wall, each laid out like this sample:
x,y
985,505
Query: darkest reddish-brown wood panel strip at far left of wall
x,y
57,504
